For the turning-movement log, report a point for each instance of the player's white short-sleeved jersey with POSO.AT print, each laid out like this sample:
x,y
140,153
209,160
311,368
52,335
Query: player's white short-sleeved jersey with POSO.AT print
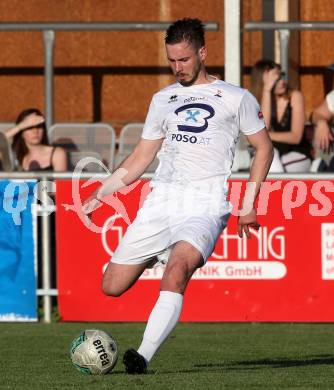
x,y
200,125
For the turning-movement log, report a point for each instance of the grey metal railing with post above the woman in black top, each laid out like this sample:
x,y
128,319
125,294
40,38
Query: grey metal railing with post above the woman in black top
x,y
284,29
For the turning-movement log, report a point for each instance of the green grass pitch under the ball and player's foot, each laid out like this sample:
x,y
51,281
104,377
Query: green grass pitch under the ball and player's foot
x,y
197,356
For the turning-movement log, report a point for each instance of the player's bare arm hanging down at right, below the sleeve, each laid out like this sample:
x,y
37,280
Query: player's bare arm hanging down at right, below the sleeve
x,y
258,173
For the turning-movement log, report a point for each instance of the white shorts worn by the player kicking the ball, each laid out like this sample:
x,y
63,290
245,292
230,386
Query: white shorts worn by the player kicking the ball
x,y
168,216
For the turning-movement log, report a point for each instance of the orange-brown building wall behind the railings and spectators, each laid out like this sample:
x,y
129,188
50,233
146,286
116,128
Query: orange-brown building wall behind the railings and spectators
x,y
111,76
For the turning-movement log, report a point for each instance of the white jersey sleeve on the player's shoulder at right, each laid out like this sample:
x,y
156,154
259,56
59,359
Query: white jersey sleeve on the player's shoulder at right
x,y
249,115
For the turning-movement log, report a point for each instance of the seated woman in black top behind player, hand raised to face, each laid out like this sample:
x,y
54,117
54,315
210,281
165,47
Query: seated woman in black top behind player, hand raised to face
x,y
284,114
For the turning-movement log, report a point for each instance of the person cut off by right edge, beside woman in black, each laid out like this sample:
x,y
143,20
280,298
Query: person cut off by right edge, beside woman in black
x,y
323,117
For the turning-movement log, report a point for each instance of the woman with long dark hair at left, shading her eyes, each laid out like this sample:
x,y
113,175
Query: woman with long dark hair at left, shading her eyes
x,y
31,146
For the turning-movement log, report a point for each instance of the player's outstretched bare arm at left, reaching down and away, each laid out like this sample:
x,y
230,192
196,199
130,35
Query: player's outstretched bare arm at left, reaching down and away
x,y
129,171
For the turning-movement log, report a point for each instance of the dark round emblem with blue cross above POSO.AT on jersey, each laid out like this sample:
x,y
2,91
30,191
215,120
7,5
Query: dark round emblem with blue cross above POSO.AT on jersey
x,y
195,117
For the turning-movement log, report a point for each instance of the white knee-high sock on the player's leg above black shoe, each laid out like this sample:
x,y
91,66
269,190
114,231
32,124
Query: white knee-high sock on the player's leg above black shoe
x,y
161,322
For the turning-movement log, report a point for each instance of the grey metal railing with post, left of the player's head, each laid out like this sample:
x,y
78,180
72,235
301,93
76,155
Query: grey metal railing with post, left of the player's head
x,y
49,38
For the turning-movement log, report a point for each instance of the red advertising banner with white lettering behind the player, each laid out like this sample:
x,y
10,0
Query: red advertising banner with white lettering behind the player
x,y
285,272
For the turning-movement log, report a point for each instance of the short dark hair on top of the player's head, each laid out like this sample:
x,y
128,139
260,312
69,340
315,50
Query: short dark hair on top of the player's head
x,y
187,29
